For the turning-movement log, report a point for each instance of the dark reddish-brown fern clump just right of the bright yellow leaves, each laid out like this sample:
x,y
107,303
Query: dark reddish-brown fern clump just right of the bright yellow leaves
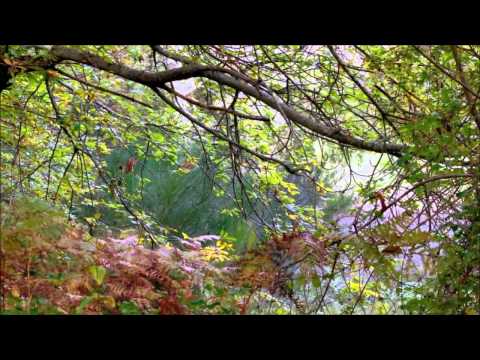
x,y
279,268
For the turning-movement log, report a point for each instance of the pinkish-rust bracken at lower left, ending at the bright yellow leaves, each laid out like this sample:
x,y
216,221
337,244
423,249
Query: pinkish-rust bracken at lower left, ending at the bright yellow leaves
x,y
50,266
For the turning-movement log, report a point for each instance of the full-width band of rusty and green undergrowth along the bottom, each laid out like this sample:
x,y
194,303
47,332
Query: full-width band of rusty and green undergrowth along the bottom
x,y
50,266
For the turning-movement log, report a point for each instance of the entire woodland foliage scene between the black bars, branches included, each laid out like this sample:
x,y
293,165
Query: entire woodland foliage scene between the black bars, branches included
x,y
240,179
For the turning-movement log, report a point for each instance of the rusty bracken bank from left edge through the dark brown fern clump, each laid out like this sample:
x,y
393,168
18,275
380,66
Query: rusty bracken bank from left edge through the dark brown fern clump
x,y
50,266
